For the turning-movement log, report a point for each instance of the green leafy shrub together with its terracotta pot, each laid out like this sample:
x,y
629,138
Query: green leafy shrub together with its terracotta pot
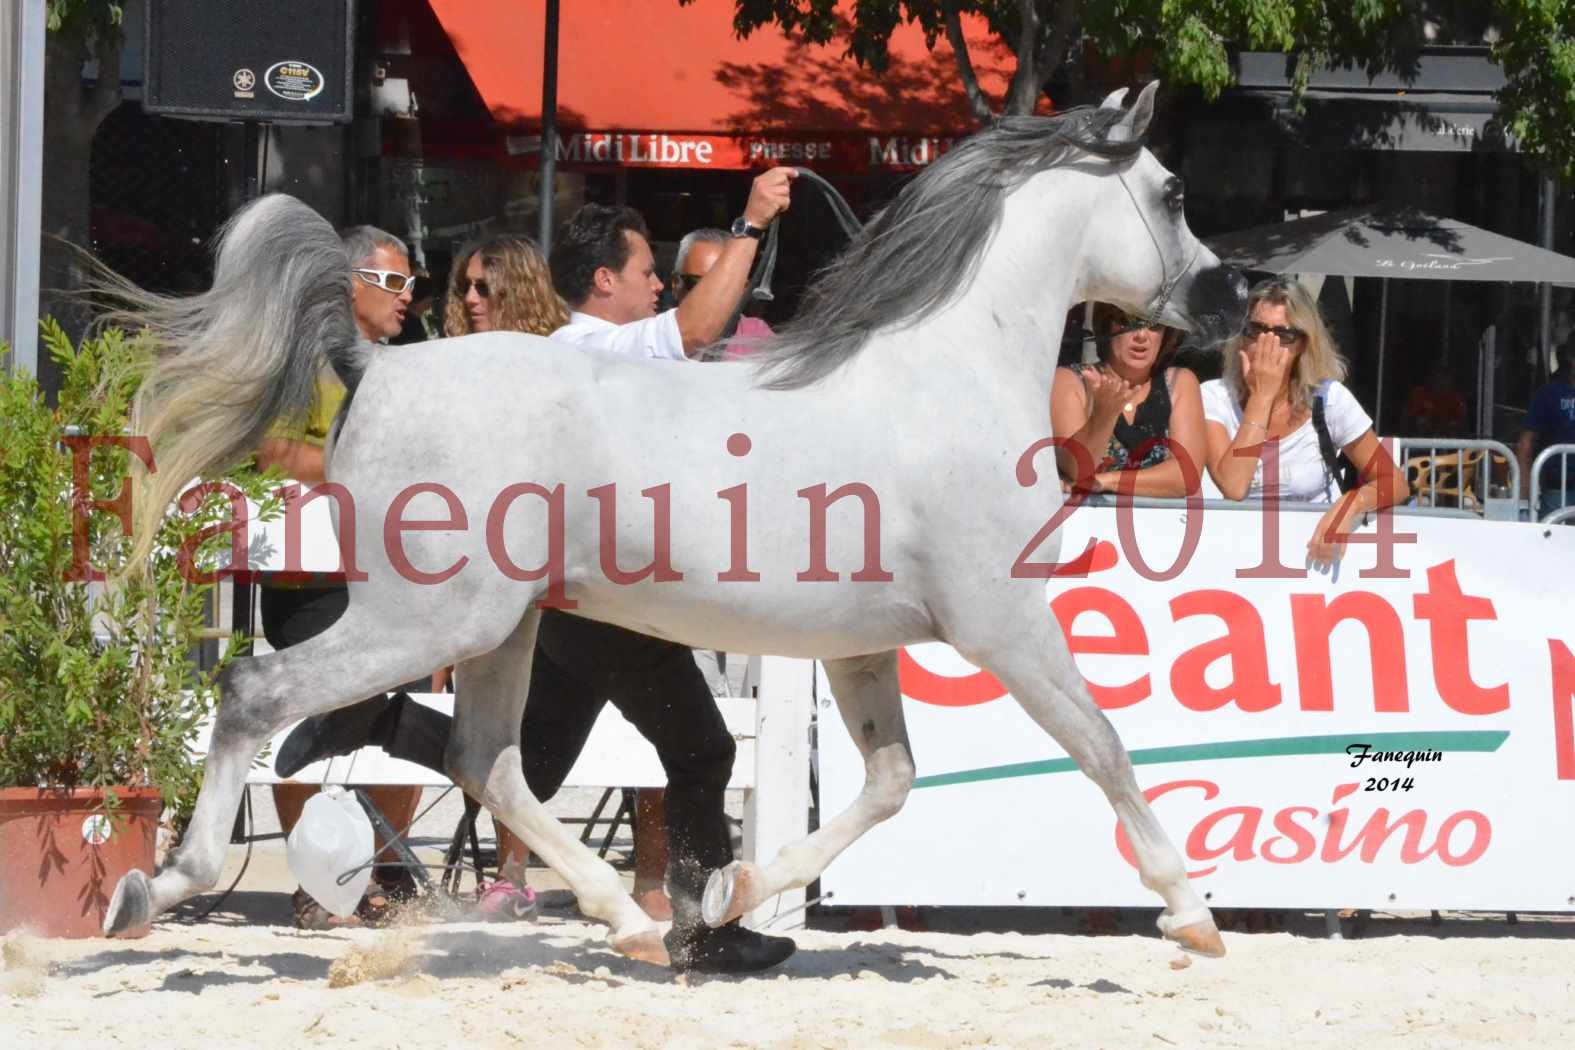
x,y
100,692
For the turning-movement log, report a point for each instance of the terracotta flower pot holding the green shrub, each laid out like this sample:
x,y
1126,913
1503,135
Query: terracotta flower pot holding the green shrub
x,y
62,860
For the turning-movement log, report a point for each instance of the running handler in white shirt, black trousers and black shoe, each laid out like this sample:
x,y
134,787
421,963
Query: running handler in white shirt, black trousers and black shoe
x,y
604,268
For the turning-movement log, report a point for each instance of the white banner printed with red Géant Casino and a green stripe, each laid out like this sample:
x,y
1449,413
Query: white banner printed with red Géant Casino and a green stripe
x,y
1306,742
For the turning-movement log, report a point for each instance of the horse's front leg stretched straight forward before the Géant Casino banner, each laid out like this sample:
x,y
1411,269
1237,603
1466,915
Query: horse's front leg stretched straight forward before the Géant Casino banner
x,y
1037,668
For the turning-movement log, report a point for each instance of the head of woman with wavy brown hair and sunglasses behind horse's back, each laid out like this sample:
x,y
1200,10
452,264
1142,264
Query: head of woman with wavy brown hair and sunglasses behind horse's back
x,y
502,284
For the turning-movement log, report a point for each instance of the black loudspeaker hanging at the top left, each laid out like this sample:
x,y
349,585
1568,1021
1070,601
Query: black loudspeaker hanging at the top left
x,y
284,62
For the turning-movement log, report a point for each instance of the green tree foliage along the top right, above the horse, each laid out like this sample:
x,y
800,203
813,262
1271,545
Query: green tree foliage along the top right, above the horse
x,y
1191,42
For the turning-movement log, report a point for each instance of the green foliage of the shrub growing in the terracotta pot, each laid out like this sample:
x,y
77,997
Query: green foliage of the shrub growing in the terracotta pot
x,y
98,684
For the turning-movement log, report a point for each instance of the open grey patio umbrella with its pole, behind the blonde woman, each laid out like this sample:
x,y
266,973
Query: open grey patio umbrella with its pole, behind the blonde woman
x,y
1392,242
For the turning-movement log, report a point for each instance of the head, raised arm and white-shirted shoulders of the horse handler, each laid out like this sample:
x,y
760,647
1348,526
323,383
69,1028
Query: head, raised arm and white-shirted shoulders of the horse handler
x,y
606,272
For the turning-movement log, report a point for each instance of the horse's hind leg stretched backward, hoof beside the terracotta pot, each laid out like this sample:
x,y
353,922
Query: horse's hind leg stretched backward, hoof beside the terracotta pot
x,y
258,698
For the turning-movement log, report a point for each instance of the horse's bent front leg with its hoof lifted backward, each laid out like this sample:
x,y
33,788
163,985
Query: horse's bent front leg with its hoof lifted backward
x,y
872,706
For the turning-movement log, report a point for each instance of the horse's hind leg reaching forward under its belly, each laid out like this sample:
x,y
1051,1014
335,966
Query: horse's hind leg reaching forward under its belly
x,y
484,761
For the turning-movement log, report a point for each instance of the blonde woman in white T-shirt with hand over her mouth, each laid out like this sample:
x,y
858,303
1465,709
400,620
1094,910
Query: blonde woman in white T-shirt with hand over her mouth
x,y
1275,372
